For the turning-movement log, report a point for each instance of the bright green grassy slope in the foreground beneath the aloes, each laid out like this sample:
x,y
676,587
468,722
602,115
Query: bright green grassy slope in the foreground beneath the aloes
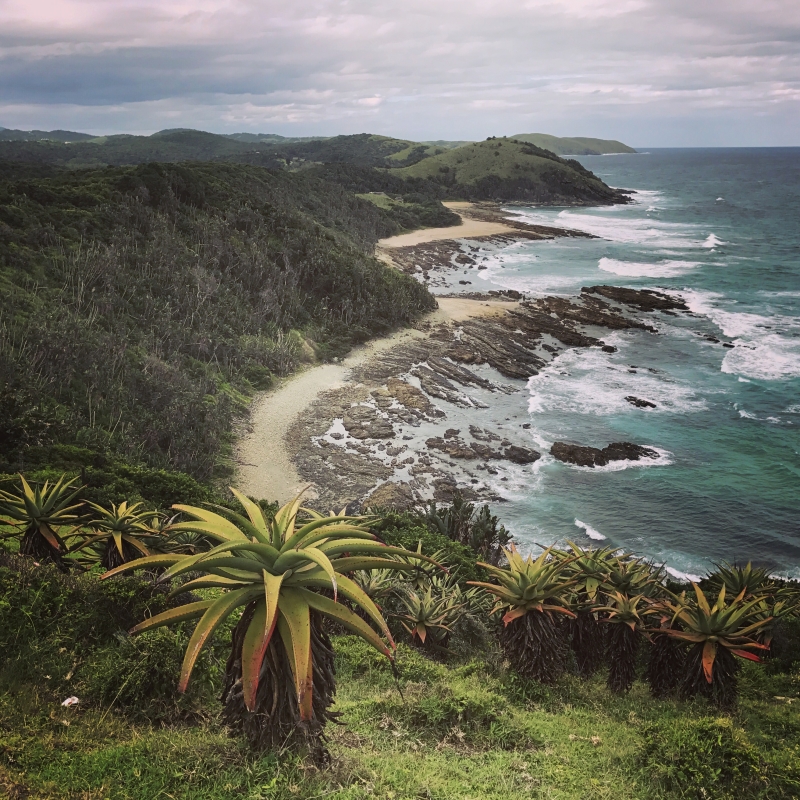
x,y
456,732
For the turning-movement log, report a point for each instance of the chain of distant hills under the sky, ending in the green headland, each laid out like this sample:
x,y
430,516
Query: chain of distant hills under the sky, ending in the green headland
x,y
498,169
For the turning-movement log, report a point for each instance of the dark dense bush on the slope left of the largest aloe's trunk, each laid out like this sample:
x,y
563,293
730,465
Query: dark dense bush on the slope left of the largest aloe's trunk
x,y
67,633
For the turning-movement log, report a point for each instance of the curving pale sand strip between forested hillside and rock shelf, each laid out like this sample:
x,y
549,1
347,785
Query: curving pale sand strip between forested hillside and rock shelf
x,y
265,469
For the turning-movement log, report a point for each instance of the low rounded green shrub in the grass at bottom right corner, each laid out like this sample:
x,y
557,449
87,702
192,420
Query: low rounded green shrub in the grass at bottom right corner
x,y
700,758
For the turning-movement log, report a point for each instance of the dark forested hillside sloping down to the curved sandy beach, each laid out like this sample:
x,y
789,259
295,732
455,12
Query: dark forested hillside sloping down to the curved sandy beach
x,y
139,306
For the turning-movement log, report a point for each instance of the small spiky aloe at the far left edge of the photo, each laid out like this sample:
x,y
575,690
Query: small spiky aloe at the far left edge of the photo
x,y
40,514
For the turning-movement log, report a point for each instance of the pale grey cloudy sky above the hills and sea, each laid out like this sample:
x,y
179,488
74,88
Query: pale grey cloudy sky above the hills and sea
x,y
648,72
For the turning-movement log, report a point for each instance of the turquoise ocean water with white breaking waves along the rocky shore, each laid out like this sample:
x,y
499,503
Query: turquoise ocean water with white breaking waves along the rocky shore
x,y
720,227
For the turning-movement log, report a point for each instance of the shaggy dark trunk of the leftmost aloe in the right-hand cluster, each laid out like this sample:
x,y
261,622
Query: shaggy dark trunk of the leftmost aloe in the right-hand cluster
x,y
535,646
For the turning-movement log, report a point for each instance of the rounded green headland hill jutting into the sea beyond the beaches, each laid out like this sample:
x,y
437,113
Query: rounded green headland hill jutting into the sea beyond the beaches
x,y
507,169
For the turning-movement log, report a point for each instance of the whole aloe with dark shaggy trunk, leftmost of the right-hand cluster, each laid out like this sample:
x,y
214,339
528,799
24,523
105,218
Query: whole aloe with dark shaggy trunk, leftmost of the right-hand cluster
x,y
531,592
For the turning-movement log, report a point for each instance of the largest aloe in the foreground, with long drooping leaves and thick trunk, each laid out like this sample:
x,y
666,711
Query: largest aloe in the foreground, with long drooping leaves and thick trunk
x,y
287,576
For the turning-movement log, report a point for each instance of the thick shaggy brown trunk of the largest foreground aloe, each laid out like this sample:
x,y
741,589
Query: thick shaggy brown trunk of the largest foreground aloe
x,y
276,720
